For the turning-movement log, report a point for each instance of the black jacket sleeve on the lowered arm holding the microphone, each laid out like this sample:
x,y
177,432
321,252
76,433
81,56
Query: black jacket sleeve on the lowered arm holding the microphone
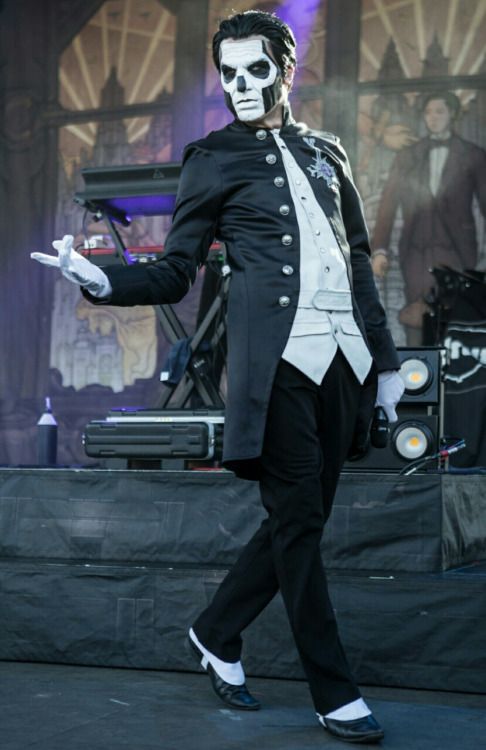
x,y
364,288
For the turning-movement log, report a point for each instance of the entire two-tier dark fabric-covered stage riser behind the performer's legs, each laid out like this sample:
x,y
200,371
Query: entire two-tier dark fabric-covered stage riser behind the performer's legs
x,y
110,568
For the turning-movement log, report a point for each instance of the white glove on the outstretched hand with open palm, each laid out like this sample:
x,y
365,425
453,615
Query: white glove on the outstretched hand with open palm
x,y
76,268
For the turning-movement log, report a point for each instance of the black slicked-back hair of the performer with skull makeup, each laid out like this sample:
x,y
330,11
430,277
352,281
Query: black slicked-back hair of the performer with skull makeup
x,y
242,25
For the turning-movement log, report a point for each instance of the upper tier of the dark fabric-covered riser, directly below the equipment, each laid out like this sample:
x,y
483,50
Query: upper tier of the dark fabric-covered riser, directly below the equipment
x,y
421,523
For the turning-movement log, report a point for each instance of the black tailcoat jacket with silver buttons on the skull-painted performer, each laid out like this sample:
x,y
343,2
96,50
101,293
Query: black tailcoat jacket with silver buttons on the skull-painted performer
x,y
228,190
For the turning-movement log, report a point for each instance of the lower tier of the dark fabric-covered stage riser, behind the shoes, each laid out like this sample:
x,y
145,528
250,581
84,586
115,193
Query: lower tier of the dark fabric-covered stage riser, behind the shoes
x,y
422,631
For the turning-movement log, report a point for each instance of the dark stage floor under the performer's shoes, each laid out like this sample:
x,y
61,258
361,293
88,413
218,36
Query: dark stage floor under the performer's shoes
x,y
54,707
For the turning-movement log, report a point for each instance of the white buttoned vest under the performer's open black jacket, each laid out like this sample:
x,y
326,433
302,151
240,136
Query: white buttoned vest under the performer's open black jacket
x,y
324,319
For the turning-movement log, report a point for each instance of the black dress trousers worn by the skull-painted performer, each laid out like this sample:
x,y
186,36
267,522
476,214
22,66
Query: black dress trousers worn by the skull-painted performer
x,y
308,433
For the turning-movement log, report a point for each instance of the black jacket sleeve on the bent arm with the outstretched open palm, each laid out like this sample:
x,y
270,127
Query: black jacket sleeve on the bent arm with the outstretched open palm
x,y
199,198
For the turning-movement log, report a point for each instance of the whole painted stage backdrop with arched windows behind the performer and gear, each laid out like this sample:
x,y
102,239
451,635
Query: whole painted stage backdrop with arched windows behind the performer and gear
x,y
130,82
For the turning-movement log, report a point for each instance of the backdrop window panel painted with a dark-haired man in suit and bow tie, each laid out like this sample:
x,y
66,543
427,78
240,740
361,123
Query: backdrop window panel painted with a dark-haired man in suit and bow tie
x,y
423,206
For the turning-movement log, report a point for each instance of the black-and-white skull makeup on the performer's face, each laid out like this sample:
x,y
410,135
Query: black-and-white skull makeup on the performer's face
x,y
251,80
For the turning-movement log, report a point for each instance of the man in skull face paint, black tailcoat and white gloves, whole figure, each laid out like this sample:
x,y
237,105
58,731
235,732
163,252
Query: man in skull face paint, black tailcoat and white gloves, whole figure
x,y
309,352
